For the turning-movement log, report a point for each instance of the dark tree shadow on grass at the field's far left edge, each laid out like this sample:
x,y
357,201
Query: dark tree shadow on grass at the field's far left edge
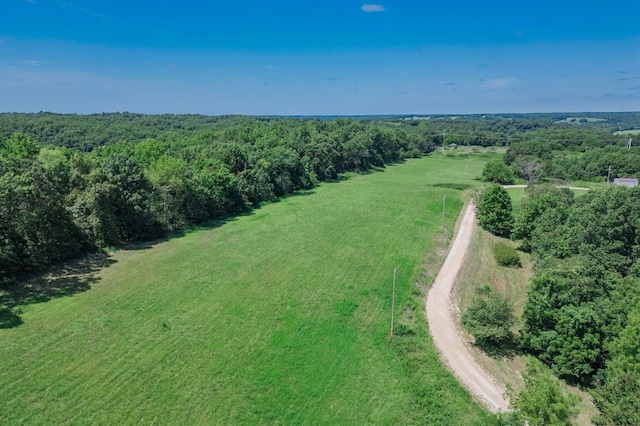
x,y
65,280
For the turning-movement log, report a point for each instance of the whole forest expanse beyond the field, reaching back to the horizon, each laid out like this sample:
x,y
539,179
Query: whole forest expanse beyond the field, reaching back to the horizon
x,y
74,183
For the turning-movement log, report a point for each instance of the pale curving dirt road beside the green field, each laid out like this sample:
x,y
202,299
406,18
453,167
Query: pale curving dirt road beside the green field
x,y
444,331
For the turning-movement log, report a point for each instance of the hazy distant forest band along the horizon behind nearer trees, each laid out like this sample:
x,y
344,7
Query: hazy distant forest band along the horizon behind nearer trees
x,y
86,132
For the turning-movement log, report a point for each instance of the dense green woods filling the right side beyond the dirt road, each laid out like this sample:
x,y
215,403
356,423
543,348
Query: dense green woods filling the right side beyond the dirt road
x,y
582,316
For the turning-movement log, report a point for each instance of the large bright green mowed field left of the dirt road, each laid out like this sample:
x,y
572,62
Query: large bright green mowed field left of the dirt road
x,y
280,316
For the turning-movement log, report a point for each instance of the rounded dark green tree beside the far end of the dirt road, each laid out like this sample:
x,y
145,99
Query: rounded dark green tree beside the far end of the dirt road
x,y
494,211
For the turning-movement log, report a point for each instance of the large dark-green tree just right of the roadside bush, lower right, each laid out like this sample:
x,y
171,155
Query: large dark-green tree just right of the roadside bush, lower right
x,y
564,319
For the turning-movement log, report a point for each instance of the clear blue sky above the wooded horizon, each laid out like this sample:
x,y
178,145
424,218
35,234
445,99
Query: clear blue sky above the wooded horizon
x,y
334,57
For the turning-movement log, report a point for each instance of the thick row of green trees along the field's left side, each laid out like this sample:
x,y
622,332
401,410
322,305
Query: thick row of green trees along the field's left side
x,y
58,203
